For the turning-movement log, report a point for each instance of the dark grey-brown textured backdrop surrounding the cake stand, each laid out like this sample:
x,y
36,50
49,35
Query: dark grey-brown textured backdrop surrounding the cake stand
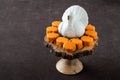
x,y
23,55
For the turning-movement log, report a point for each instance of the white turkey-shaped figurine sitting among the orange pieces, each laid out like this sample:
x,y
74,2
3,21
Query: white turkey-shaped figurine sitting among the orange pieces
x,y
74,22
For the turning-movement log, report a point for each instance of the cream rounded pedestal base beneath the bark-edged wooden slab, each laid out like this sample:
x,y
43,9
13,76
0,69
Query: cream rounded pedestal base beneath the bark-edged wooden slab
x,y
69,67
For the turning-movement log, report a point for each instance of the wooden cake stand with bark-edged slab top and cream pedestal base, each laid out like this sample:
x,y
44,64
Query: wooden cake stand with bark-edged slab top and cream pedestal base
x,y
69,64
